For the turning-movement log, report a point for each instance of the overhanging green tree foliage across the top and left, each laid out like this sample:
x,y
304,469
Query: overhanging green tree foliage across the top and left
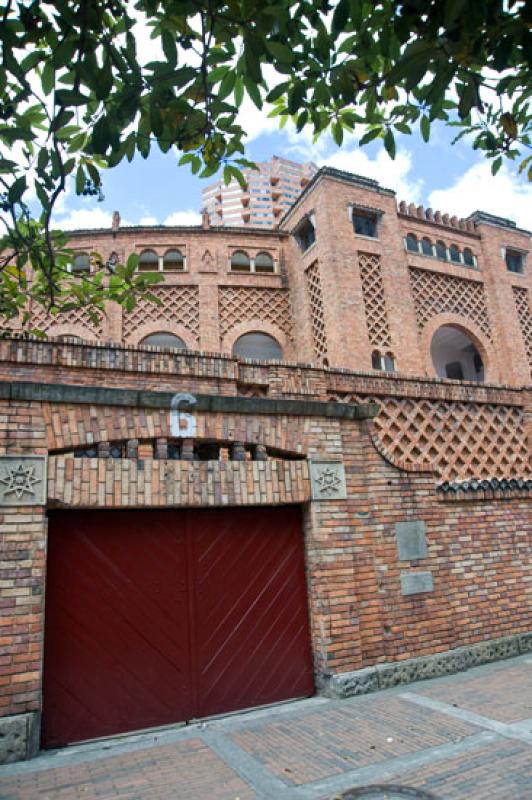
x,y
81,91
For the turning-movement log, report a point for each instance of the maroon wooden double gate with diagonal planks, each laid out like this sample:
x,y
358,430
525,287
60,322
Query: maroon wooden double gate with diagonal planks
x,y
155,617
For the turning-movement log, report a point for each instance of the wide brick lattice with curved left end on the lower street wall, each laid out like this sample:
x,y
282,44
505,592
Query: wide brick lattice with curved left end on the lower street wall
x,y
461,440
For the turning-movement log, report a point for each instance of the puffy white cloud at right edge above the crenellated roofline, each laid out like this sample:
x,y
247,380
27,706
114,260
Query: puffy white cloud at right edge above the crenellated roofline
x,y
477,188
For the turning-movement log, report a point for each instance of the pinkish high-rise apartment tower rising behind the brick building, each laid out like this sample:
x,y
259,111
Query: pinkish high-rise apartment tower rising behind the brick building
x,y
269,193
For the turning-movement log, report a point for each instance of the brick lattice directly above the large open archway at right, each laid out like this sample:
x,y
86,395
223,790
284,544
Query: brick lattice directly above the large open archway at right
x,y
435,293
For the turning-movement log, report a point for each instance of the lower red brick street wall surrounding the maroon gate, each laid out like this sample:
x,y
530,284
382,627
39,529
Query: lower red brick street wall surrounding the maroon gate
x,y
477,550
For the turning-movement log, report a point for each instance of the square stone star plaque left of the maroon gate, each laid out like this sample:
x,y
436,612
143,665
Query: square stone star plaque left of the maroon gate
x,y
22,480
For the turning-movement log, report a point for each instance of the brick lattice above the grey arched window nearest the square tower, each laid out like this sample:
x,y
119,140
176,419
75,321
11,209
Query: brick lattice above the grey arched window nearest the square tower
x,y
243,304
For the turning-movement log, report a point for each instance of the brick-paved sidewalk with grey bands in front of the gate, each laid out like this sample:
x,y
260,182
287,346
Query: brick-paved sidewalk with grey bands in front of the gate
x,y
463,737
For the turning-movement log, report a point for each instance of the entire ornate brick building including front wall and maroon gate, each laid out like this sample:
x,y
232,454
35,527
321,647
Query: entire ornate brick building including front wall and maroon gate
x,y
268,485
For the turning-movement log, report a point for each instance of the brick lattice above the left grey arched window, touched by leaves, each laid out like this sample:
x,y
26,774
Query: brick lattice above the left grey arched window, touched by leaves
x,y
180,304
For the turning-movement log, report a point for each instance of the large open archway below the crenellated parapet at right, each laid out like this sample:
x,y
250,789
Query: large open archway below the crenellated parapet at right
x,y
455,356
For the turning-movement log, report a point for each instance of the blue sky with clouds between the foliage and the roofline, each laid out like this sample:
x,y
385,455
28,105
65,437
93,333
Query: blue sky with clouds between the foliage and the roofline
x,y
453,178
